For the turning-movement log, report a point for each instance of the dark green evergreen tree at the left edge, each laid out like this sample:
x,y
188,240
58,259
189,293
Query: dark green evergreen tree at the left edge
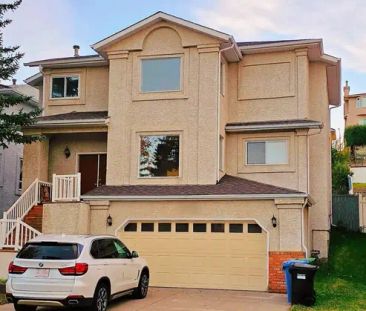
x,y
11,123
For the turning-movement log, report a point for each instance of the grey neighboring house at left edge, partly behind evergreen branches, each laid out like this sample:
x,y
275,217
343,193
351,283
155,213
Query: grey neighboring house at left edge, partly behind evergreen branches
x,y
11,158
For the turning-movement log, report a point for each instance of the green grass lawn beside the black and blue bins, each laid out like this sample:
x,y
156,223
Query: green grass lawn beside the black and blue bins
x,y
340,284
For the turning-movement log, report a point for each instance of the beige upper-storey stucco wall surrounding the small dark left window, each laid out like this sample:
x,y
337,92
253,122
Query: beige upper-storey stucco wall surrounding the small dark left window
x,y
93,91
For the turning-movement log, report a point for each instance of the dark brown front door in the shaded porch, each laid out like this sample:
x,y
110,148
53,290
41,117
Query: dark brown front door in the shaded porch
x,y
93,168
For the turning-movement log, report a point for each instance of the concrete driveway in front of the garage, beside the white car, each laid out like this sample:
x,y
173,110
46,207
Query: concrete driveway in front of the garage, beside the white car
x,y
174,299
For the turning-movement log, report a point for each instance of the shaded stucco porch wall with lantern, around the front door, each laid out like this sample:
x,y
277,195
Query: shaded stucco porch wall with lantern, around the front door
x,y
77,144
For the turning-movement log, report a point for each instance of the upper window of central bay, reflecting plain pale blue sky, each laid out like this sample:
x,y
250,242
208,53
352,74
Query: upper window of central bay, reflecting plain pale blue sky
x,y
160,74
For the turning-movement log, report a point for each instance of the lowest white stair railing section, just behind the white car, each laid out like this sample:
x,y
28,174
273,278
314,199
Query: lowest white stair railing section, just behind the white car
x,y
14,233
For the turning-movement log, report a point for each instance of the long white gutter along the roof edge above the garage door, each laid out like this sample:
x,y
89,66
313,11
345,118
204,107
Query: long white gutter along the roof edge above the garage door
x,y
203,197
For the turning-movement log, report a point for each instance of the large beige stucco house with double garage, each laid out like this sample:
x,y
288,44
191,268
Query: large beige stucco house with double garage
x,y
209,156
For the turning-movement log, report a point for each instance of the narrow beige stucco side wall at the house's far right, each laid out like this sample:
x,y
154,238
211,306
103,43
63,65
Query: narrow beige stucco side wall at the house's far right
x,y
320,161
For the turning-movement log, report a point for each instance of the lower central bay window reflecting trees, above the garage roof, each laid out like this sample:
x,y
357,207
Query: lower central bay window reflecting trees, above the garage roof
x,y
159,156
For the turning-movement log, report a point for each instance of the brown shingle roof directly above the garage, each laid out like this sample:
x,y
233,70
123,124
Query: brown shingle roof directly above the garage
x,y
228,185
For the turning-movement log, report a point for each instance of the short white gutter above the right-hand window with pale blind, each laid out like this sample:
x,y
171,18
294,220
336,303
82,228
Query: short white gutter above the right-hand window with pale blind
x,y
262,127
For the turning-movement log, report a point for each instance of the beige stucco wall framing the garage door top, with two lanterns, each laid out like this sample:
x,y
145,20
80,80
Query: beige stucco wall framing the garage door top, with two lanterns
x,y
75,217
